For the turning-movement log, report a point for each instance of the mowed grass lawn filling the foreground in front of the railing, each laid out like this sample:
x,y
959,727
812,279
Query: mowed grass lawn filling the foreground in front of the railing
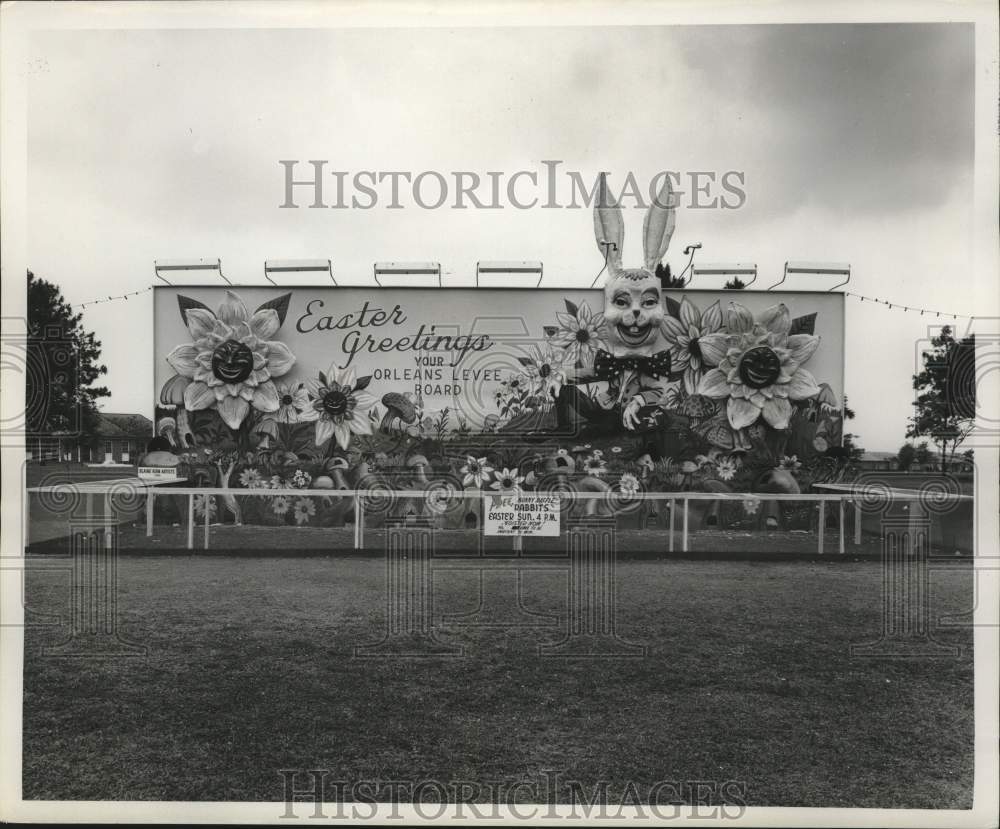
x,y
250,668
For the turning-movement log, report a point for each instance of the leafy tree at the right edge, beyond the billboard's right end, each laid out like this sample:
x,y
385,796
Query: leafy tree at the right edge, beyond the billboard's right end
x,y
944,388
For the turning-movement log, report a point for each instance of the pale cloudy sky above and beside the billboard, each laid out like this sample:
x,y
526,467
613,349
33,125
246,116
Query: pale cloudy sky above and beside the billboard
x,y
856,143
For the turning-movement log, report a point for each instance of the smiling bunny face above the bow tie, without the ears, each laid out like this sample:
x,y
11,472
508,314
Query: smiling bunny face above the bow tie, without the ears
x,y
632,312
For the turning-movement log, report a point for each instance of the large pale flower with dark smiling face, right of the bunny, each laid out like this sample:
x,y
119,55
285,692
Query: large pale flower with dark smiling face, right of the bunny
x,y
761,371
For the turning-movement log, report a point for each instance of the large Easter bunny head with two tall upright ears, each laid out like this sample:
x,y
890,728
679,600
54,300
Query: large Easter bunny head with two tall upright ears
x,y
633,306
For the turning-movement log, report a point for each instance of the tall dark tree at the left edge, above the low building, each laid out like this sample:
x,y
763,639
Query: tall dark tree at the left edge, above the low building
x,y
63,365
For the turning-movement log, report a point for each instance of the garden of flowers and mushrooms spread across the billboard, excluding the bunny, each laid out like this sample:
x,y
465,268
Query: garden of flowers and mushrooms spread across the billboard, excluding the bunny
x,y
738,399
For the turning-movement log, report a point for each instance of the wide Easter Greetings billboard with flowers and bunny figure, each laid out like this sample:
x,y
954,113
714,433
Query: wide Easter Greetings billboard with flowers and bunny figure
x,y
582,376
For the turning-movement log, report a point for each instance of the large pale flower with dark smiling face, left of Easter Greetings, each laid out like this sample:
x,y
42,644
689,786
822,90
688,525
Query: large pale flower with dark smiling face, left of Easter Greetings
x,y
231,361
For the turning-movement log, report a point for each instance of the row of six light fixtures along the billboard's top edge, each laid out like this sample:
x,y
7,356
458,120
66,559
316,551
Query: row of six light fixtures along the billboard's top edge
x,y
488,274
